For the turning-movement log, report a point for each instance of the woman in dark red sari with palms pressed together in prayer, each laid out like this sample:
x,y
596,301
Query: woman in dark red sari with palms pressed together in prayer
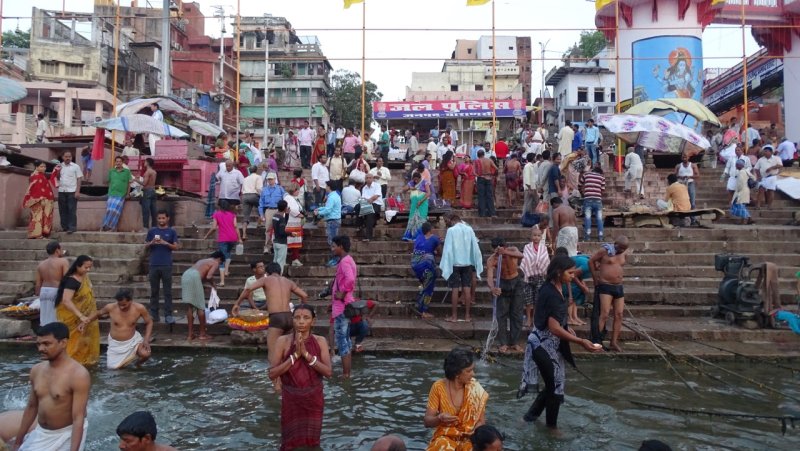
x,y
301,359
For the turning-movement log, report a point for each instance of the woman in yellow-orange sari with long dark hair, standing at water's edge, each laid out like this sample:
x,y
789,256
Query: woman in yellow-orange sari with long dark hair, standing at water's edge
x,y
74,304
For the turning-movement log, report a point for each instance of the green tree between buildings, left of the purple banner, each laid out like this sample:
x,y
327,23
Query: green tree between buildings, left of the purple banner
x,y
346,99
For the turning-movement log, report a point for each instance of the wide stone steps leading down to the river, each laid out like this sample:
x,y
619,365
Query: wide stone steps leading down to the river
x,y
670,281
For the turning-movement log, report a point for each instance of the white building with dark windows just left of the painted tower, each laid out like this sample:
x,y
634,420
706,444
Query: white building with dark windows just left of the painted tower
x,y
583,89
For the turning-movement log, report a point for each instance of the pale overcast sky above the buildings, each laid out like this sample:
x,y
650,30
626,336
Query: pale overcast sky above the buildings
x,y
400,52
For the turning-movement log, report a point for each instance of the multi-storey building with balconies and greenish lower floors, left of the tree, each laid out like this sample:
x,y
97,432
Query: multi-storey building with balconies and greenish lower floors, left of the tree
x,y
297,75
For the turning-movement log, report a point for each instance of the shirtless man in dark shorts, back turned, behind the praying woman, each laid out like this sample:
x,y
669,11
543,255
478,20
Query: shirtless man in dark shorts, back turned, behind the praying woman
x,y
279,291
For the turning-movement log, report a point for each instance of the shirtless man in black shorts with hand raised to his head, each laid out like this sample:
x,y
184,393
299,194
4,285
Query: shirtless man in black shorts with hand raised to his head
x,y
606,267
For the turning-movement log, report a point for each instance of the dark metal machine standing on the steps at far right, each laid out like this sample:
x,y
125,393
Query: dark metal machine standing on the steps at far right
x,y
739,298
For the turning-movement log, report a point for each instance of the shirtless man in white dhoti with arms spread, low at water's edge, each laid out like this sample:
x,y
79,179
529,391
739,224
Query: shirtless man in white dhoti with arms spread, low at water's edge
x,y
125,343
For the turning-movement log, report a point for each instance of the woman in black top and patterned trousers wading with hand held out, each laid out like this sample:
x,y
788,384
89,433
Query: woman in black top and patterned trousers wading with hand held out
x,y
548,344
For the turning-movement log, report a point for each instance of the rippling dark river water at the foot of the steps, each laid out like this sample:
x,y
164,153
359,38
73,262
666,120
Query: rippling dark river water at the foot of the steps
x,y
212,401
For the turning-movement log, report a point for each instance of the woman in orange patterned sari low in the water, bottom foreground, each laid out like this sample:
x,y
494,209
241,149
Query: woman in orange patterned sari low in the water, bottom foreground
x,y
456,404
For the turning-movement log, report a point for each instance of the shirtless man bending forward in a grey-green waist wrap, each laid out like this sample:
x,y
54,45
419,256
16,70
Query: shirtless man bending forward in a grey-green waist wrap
x,y
193,293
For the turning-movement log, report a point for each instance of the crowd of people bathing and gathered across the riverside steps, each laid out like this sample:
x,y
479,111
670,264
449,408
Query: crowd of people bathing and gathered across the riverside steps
x,y
536,290
